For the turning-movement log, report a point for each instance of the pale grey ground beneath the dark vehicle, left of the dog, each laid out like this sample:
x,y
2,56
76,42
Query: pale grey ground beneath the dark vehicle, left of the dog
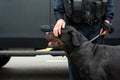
x,y
35,68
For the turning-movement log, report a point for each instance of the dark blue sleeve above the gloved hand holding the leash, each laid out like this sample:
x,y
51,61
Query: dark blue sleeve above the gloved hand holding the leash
x,y
110,10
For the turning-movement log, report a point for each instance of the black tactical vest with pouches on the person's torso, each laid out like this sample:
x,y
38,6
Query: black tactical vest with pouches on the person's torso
x,y
85,11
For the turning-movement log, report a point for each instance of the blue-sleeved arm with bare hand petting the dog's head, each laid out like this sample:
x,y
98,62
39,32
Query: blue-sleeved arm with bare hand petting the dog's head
x,y
59,14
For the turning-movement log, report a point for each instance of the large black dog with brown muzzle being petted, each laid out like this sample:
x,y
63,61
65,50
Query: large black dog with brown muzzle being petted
x,y
92,61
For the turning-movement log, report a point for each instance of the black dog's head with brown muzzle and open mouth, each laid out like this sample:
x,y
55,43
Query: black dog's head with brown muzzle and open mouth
x,y
69,38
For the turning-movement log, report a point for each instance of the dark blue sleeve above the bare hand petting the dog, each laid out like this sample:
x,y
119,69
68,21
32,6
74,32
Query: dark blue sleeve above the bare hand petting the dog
x,y
59,9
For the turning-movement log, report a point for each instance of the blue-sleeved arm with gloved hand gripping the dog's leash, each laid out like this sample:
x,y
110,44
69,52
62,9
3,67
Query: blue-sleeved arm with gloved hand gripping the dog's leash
x,y
109,14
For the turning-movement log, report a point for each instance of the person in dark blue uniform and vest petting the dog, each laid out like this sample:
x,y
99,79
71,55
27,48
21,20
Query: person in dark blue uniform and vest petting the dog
x,y
89,27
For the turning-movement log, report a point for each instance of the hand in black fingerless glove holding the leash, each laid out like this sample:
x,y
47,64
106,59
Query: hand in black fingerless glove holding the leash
x,y
106,28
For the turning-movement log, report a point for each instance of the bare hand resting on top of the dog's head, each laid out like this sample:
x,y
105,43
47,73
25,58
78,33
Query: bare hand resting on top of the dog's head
x,y
58,26
